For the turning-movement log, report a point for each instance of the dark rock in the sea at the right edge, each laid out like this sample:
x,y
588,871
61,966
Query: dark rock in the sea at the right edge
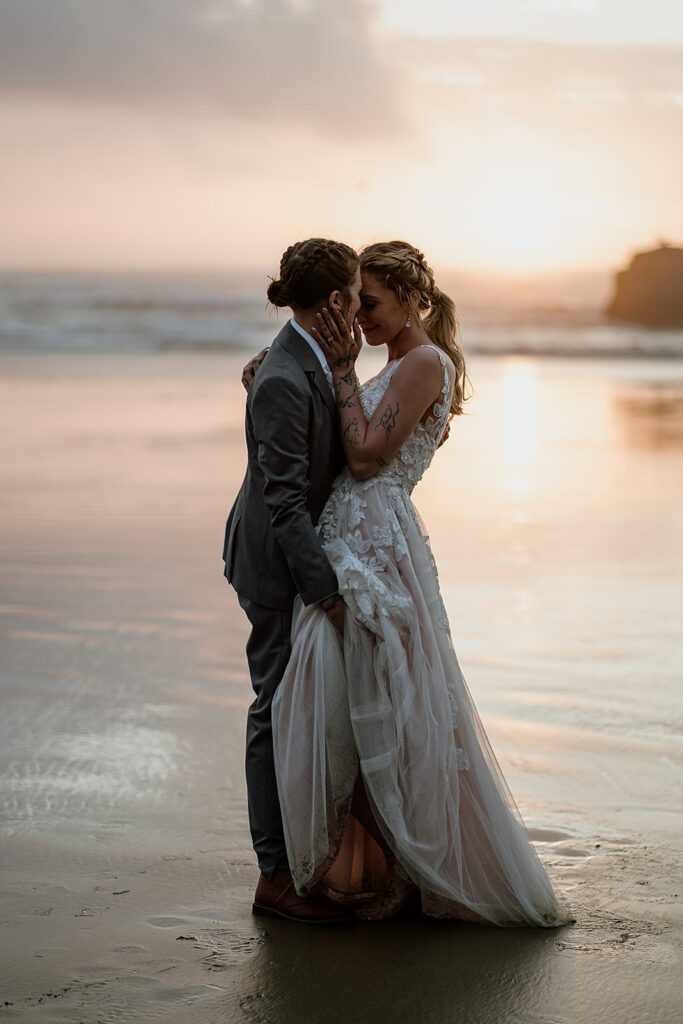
x,y
651,291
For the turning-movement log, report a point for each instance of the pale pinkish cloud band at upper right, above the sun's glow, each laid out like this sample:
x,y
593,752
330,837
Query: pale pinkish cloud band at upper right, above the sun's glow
x,y
617,106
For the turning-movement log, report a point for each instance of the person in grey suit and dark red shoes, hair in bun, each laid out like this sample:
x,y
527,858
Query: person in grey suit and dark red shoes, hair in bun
x,y
272,550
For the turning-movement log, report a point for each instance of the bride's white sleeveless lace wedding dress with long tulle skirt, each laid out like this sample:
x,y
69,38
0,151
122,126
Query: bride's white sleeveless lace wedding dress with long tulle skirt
x,y
391,699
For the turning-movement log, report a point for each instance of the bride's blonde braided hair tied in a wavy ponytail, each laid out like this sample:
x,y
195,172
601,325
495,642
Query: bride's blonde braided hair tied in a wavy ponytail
x,y
402,268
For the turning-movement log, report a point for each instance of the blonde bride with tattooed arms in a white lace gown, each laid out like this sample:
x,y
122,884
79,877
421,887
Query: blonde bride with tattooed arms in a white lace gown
x,y
388,703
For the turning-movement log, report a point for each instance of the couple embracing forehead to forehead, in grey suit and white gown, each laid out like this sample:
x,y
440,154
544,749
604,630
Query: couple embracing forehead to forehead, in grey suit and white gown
x,y
371,782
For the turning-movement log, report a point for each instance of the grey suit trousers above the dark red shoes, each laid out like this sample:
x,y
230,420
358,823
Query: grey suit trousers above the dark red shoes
x,y
269,652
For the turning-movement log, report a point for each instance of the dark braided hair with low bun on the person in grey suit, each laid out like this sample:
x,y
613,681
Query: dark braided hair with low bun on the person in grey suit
x,y
311,271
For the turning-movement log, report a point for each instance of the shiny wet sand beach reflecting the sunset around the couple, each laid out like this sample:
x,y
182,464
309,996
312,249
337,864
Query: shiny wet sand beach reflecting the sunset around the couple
x,y
127,872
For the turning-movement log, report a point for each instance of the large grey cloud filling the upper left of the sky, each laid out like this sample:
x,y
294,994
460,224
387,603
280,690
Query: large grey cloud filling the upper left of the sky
x,y
273,61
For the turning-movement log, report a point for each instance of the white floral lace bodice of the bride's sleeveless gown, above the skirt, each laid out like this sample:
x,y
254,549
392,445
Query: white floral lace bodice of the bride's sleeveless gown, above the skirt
x,y
409,465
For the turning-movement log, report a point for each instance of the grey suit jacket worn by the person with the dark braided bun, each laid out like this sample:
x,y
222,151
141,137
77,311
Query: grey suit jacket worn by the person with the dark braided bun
x,y
295,452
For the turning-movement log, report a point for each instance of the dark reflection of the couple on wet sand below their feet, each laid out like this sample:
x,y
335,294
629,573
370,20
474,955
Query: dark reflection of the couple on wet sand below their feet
x,y
408,972
